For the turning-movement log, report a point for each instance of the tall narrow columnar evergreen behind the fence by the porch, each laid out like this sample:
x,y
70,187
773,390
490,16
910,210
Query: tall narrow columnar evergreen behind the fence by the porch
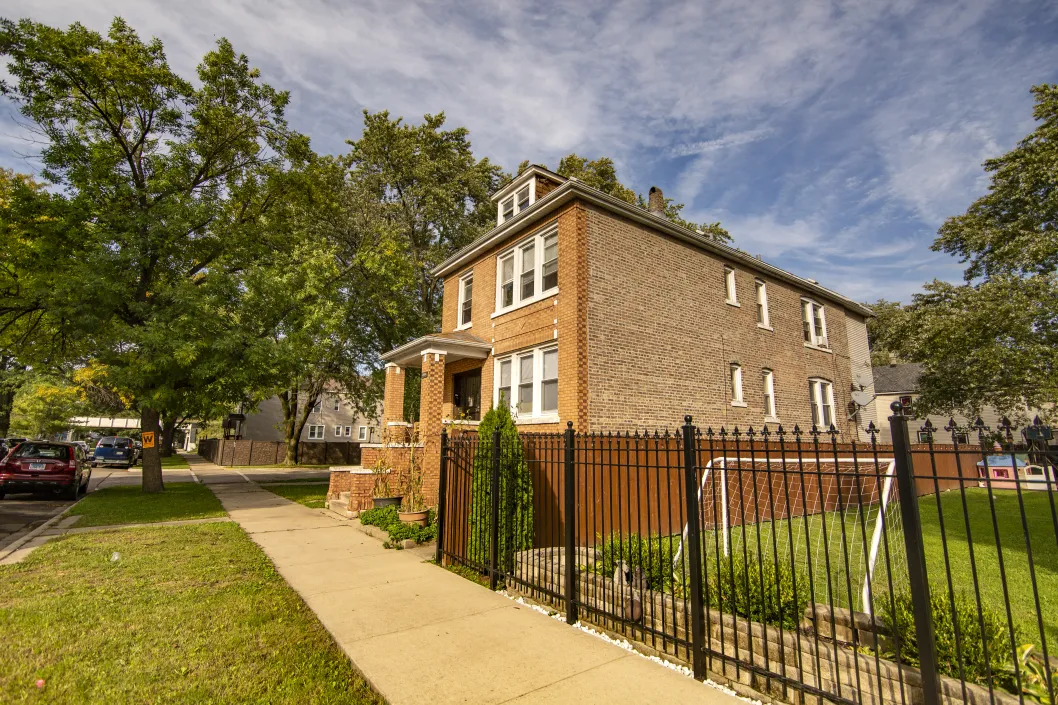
x,y
516,529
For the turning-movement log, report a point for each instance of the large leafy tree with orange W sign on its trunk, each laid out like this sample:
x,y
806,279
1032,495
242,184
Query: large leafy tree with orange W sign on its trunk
x,y
136,259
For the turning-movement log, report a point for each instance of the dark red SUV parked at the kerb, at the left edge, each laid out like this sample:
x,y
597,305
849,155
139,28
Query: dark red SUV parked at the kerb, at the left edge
x,y
40,466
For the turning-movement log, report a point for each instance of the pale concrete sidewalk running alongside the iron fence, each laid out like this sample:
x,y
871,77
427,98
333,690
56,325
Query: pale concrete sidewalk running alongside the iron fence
x,y
422,635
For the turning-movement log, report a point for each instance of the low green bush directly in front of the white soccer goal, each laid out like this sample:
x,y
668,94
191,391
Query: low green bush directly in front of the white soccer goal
x,y
759,591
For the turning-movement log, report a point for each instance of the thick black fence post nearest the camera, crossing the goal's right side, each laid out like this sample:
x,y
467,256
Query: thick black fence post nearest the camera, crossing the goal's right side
x,y
917,555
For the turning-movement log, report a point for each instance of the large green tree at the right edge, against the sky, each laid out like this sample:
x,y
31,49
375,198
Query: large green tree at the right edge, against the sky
x,y
994,340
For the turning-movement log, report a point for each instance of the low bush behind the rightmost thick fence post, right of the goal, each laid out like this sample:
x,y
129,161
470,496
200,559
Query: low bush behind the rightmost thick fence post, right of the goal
x,y
898,613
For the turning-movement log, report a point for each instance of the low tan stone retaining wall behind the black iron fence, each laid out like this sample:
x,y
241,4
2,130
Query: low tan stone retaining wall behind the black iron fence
x,y
832,666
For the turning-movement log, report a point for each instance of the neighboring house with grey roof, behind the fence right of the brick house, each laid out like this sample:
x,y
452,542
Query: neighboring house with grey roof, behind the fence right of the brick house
x,y
900,383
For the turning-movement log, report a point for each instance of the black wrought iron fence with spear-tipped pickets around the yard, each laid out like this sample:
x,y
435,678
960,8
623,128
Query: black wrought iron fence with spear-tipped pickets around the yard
x,y
783,563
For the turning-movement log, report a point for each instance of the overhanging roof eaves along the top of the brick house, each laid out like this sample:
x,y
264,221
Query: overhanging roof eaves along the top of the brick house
x,y
575,189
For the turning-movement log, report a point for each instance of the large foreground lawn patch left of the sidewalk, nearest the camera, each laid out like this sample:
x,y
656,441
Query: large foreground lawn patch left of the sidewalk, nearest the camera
x,y
188,614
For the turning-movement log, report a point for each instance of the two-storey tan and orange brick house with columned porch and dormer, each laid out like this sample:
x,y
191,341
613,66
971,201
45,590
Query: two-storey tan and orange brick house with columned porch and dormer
x,y
581,308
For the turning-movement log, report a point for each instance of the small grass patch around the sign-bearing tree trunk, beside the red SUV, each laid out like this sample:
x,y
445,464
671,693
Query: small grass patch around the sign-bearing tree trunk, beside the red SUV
x,y
130,505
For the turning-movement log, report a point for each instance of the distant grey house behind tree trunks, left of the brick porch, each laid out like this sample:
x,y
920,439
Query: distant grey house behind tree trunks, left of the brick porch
x,y
332,420
